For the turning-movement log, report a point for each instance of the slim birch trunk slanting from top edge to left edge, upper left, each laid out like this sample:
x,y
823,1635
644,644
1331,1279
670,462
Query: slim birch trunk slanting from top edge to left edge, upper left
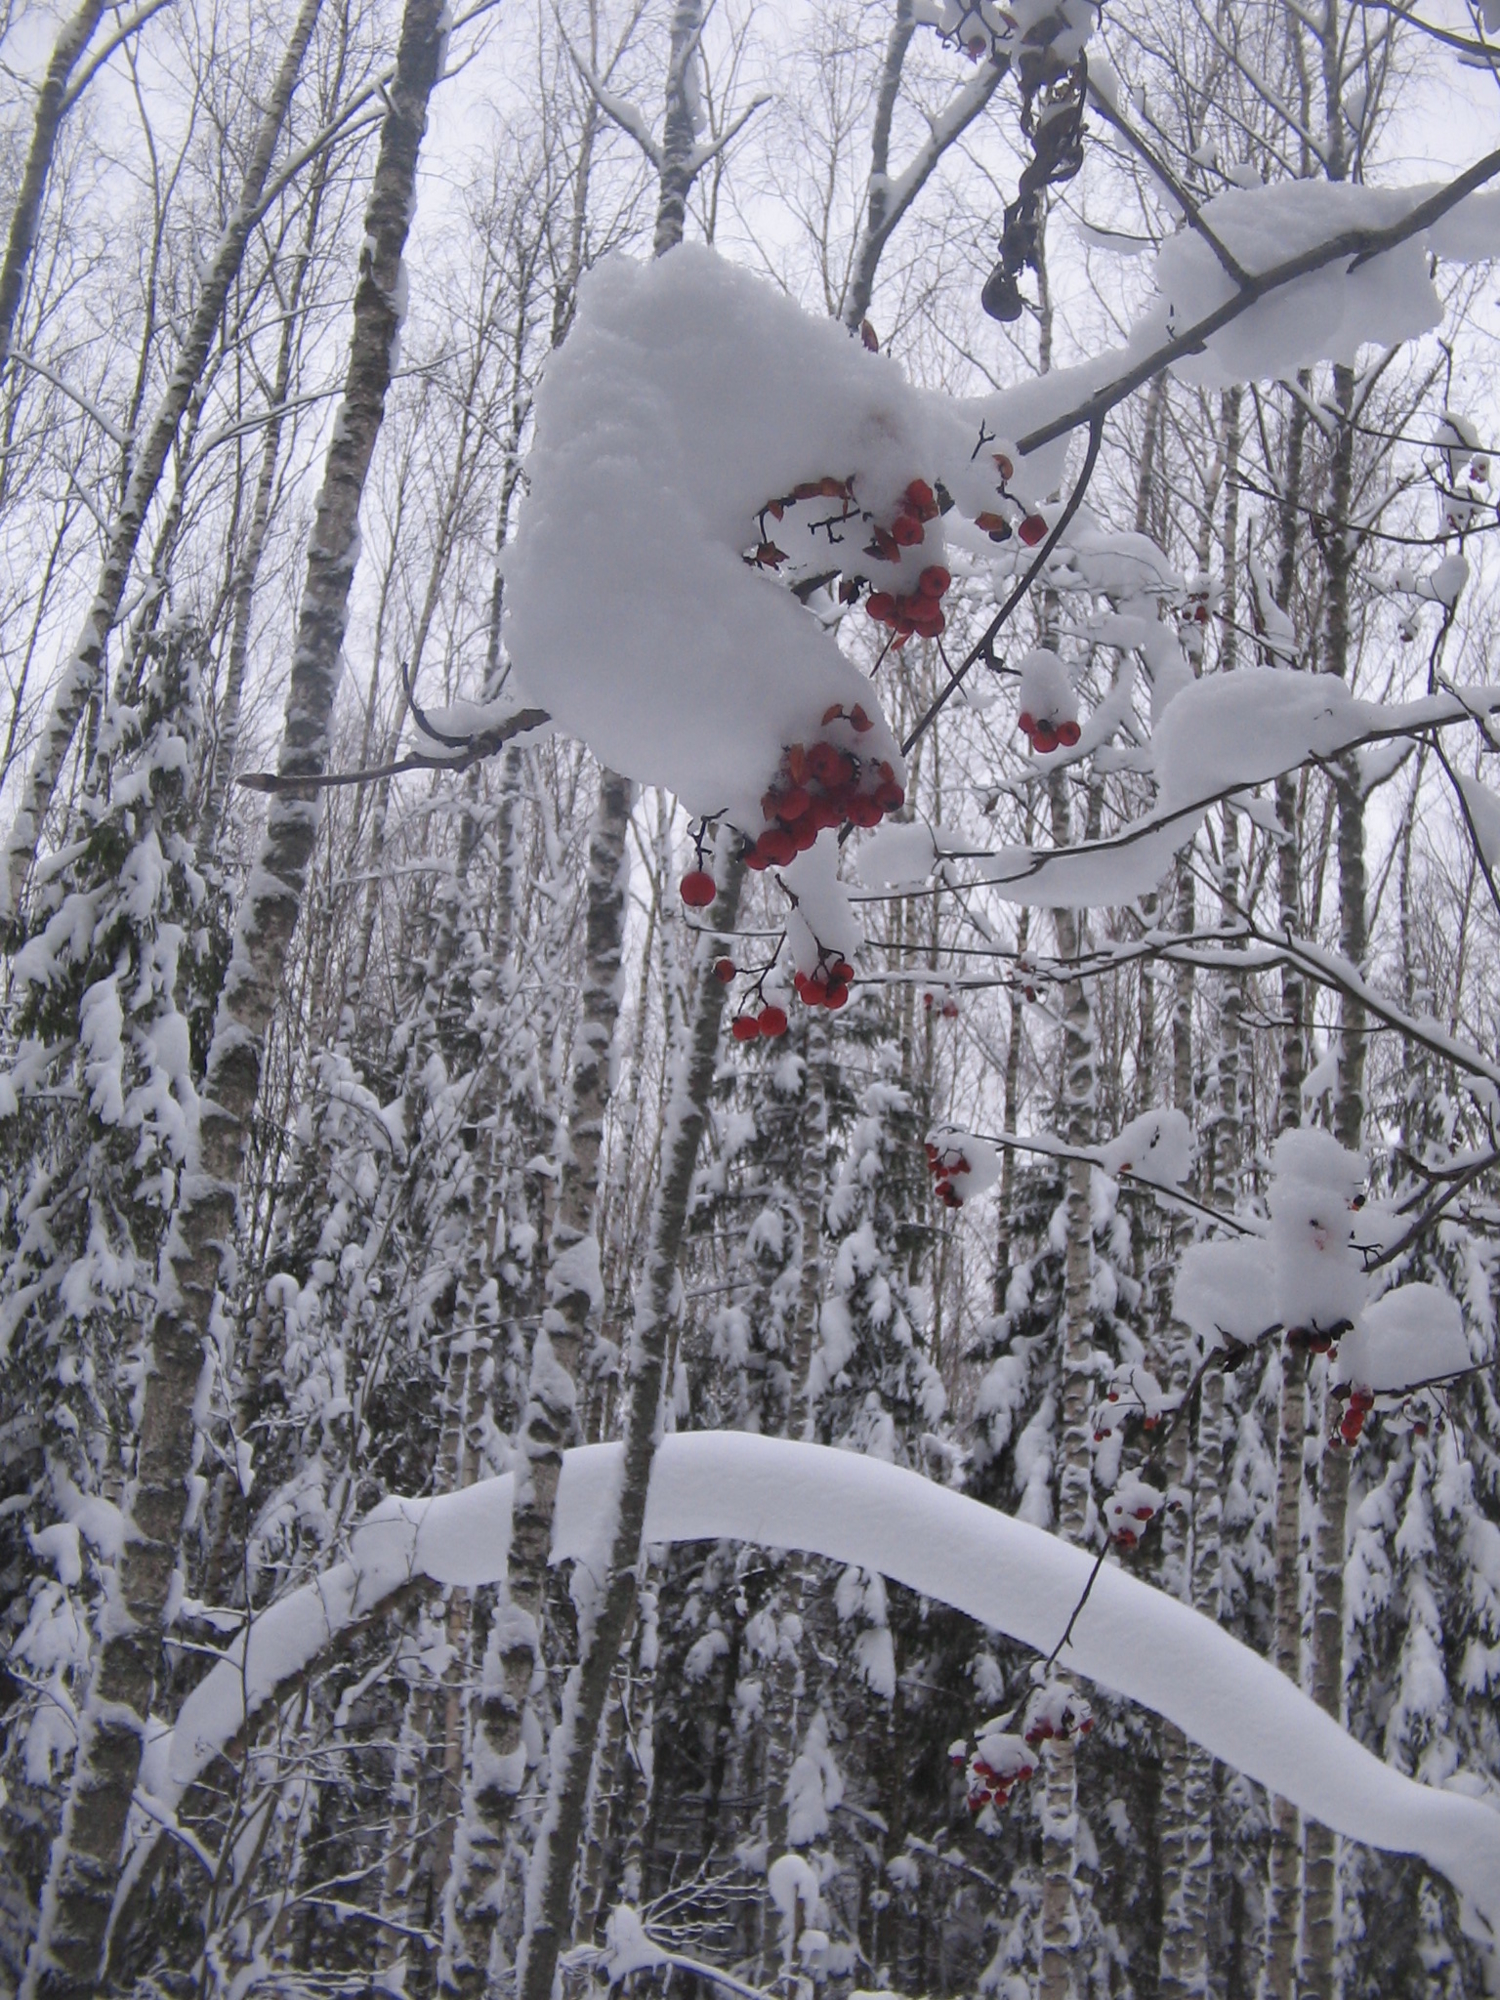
x,y
83,673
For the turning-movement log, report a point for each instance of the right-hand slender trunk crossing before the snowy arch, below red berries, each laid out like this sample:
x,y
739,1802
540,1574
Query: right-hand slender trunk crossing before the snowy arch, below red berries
x,y
549,1881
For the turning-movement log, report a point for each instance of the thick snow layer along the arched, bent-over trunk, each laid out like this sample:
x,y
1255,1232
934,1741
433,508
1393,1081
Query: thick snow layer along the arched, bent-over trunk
x,y
861,1511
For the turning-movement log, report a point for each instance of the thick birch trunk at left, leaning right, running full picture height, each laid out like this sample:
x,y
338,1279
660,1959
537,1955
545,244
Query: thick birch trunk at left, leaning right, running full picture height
x,y
87,1857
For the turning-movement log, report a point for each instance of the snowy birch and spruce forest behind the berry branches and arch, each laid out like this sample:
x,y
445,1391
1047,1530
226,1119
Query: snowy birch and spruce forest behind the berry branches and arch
x,y
387,1139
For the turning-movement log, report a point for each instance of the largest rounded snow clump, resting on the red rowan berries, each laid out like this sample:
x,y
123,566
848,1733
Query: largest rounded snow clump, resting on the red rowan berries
x,y
689,395
